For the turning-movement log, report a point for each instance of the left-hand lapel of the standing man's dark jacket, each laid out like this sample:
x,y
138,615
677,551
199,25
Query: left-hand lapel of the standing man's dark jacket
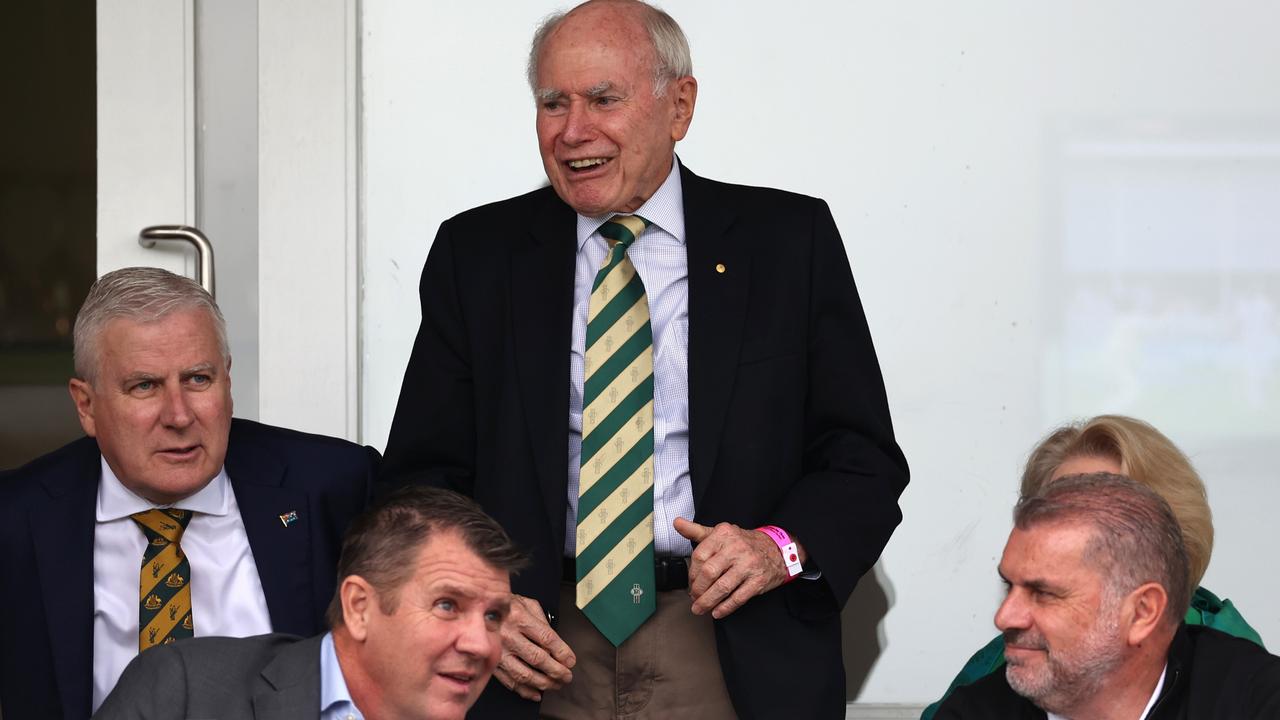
x,y
542,309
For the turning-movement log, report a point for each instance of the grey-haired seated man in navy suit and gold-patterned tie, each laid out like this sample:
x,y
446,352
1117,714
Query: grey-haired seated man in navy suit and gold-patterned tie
x,y
171,520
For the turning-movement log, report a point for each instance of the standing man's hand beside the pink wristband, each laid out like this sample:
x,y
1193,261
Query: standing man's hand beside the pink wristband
x,y
730,567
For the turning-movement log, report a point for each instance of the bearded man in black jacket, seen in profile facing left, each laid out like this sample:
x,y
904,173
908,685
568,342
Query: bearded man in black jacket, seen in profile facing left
x,y
1098,578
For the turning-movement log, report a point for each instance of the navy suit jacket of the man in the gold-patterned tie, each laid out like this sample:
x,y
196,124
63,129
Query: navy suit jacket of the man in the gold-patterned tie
x,y
47,553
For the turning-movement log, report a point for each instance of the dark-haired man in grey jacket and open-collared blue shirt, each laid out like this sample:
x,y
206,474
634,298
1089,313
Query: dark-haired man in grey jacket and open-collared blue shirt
x,y
424,589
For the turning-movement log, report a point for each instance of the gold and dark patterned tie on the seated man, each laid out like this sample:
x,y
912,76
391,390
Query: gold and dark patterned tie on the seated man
x,y
164,614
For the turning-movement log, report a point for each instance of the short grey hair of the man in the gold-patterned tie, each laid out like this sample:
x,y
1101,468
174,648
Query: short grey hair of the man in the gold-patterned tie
x,y
143,295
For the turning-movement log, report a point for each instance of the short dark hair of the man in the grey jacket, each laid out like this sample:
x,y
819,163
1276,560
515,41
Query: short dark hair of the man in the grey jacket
x,y
381,545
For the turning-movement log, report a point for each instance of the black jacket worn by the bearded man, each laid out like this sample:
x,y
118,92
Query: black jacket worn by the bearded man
x,y
1210,675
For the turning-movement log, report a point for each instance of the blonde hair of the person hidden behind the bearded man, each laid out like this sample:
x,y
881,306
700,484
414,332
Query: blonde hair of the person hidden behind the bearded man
x,y
1146,457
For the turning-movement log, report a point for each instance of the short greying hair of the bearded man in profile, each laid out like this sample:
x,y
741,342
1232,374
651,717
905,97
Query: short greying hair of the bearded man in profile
x,y
1136,536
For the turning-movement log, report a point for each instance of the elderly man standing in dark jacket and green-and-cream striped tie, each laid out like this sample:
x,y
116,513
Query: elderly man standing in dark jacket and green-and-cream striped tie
x,y
666,388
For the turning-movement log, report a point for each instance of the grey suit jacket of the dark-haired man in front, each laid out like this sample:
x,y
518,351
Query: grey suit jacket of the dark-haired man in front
x,y
272,677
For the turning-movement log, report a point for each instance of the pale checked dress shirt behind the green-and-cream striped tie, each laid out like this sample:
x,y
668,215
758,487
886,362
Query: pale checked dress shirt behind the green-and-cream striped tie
x,y
662,265
